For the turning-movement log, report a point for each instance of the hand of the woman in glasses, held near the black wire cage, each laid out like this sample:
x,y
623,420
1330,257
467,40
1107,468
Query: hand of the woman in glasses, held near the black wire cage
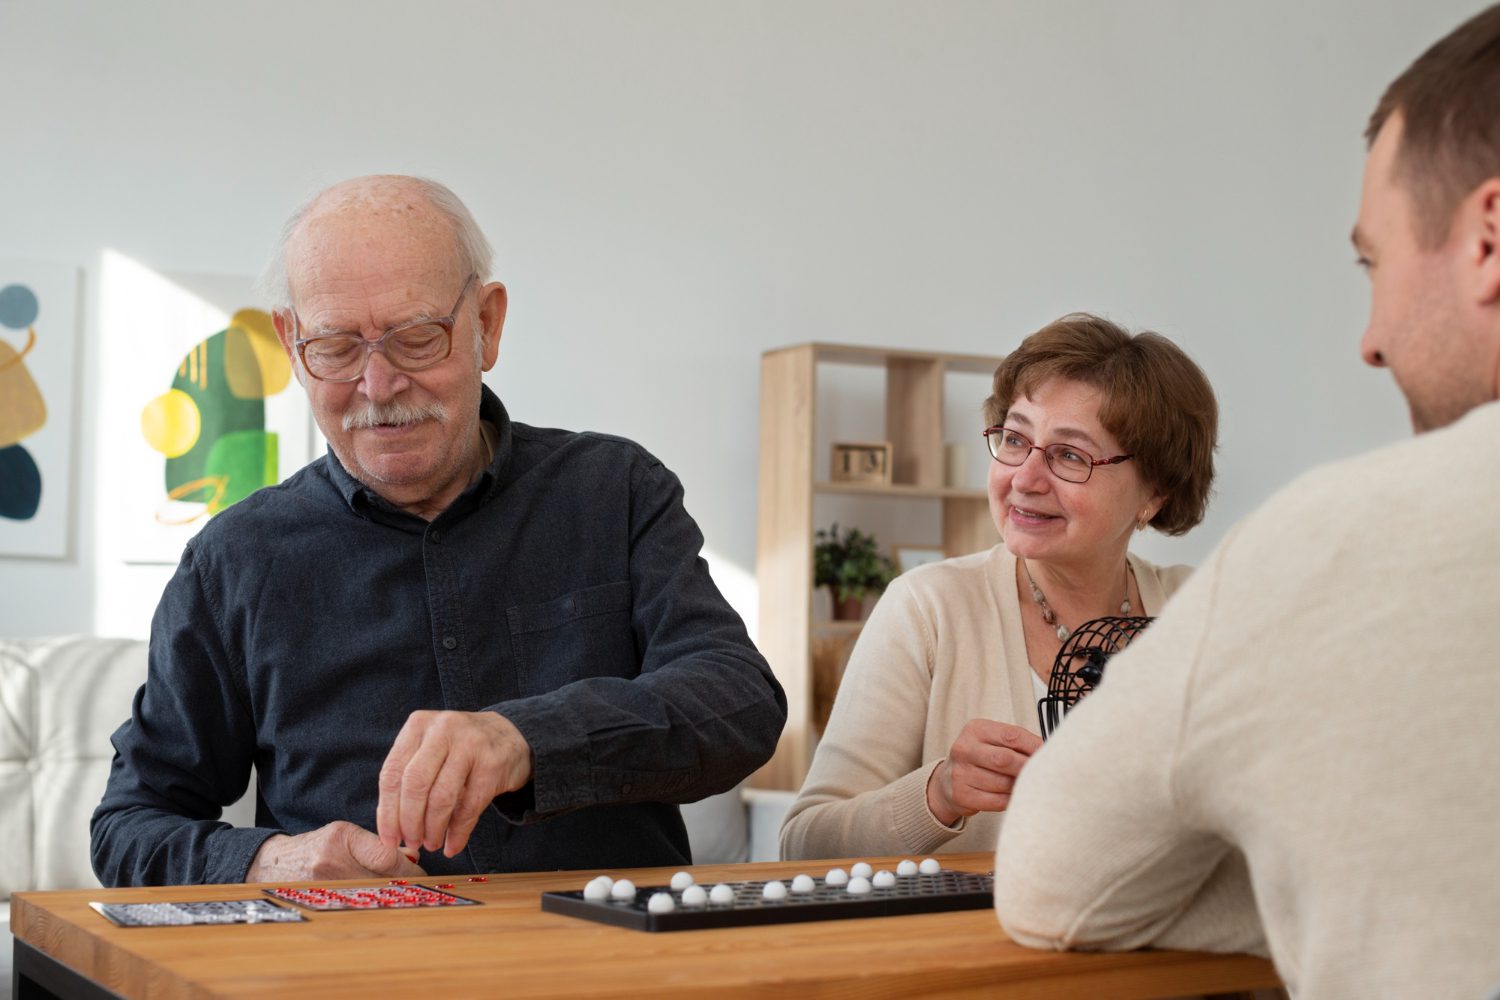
x,y
980,770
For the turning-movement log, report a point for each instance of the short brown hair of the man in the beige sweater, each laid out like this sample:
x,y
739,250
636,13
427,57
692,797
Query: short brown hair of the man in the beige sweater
x,y
1450,106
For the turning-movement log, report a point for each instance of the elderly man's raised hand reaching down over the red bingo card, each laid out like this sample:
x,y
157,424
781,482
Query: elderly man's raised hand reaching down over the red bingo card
x,y
442,773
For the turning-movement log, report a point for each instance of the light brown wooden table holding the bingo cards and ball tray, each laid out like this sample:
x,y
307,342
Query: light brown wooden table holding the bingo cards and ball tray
x,y
511,948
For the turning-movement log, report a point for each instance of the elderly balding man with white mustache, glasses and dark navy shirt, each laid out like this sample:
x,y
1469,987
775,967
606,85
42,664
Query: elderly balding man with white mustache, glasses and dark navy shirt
x,y
455,644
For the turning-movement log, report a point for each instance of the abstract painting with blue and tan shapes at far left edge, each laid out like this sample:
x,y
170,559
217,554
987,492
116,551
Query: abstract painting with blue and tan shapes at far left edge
x,y
38,377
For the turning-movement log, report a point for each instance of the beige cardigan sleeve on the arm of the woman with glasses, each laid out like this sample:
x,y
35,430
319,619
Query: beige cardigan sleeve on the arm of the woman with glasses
x,y
866,792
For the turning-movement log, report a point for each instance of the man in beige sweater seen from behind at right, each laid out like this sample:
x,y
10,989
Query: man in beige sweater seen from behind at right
x,y
1303,755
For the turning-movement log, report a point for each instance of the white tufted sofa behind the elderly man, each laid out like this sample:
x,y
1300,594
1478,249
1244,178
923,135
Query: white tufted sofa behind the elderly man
x,y
61,699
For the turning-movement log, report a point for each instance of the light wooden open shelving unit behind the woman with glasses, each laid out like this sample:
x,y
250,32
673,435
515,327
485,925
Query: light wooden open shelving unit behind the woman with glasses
x,y
914,425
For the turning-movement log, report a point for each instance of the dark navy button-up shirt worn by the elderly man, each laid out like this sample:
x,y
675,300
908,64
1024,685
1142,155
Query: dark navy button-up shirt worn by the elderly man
x,y
308,621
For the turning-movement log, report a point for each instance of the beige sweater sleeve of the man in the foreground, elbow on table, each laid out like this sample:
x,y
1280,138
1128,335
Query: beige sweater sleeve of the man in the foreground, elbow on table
x,y
1100,849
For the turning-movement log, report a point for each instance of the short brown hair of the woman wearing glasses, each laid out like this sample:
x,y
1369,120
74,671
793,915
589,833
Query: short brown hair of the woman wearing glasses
x,y
1157,404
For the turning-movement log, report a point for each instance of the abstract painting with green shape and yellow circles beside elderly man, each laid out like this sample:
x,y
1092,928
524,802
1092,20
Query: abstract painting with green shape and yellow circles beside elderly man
x,y
205,398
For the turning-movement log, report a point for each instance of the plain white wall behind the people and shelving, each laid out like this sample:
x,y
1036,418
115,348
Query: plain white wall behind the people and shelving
x,y
677,187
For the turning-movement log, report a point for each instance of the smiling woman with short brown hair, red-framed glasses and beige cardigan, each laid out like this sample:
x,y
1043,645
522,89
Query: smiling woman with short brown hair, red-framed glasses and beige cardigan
x,y
1096,436
